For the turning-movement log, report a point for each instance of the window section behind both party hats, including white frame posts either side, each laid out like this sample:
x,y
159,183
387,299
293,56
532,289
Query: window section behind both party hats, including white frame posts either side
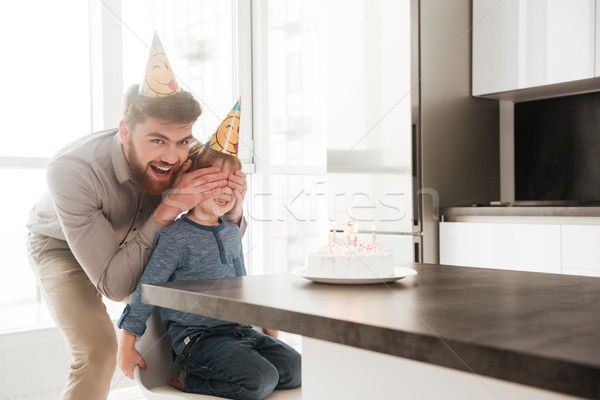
x,y
205,43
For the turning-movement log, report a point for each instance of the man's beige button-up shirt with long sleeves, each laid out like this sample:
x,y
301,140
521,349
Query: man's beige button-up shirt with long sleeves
x,y
94,204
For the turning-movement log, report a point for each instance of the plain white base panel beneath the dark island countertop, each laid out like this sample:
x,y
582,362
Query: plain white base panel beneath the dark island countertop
x,y
334,371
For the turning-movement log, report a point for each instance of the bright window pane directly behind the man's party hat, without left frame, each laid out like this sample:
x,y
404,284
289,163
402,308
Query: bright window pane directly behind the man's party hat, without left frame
x,y
201,43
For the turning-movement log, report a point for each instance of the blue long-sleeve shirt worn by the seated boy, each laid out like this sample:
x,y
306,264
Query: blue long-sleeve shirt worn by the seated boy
x,y
186,251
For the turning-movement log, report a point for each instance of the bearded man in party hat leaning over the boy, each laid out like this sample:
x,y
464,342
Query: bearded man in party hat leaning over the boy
x,y
108,195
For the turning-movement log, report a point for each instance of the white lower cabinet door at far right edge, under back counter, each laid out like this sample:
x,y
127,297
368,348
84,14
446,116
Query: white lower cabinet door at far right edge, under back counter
x,y
581,250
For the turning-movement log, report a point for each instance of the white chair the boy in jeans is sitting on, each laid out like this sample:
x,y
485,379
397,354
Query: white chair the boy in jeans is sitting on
x,y
155,348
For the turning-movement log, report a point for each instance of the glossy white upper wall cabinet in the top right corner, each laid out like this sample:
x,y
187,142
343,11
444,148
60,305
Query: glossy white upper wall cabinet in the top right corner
x,y
520,44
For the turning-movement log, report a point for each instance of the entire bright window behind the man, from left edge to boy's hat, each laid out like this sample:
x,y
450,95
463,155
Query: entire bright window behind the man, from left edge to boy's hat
x,y
66,80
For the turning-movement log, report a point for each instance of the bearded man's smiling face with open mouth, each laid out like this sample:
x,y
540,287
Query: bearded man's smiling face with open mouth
x,y
156,150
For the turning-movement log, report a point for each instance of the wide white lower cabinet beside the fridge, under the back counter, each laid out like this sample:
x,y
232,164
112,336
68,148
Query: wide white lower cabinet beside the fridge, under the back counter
x,y
523,247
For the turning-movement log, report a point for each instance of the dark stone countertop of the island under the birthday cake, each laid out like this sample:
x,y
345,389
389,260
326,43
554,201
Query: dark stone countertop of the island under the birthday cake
x,y
541,330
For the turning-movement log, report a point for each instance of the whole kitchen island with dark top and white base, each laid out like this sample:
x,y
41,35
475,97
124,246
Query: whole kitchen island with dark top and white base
x,y
455,332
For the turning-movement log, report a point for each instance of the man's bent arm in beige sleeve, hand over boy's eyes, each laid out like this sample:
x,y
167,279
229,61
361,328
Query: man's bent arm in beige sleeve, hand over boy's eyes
x,y
114,268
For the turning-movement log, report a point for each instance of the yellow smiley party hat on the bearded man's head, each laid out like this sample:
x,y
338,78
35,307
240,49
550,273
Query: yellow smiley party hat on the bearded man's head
x,y
159,79
